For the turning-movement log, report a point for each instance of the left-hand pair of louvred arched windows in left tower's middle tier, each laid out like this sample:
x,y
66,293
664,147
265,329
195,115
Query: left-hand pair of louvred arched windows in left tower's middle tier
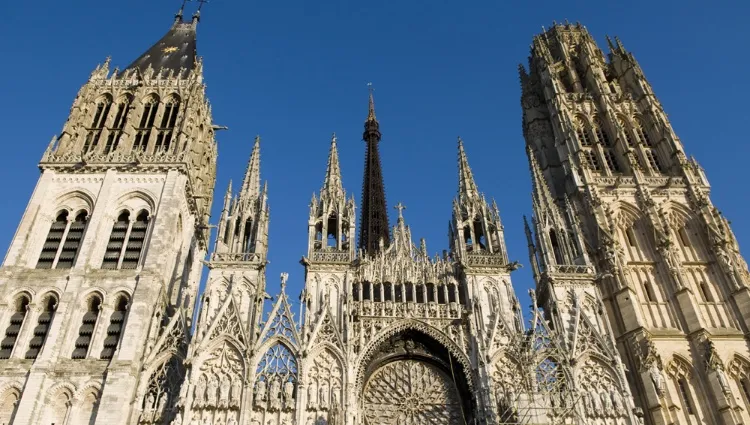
x,y
63,241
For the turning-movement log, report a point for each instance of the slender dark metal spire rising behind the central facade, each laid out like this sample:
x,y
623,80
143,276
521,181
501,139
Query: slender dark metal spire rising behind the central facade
x,y
374,222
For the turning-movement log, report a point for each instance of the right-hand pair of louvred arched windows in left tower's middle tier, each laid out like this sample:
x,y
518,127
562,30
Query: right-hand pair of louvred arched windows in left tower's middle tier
x,y
126,241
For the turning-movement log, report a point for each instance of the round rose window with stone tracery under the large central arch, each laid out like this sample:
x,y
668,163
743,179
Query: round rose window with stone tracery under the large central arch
x,y
411,392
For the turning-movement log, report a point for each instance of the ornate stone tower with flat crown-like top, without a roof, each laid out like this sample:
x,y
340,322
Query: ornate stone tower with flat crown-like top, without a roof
x,y
634,213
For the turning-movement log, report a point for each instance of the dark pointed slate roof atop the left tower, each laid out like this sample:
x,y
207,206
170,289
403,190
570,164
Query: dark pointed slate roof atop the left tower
x,y
176,51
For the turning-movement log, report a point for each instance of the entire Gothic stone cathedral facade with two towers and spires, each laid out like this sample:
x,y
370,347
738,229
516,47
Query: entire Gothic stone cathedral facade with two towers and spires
x,y
640,313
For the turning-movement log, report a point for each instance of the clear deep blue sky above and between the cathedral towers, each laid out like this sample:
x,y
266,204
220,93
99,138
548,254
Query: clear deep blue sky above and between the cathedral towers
x,y
295,71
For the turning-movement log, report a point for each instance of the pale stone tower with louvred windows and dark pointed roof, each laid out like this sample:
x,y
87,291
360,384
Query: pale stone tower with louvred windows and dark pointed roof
x,y
98,287
